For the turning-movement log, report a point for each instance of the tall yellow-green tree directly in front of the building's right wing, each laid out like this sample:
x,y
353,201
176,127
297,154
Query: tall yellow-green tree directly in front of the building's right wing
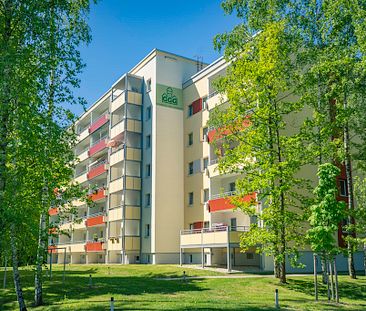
x,y
260,142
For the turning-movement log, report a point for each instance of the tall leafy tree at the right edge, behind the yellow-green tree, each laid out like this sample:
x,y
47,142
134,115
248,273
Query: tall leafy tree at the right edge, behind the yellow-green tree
x,y
329,63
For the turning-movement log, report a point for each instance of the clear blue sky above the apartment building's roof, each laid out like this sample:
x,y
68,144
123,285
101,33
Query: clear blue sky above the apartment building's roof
x,y
124,31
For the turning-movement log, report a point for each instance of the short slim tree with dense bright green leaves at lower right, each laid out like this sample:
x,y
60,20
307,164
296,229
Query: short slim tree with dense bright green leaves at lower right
x,y
325,216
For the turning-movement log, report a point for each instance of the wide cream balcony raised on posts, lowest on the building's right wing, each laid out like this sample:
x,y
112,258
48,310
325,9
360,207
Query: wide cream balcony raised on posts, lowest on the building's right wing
x,y
220,236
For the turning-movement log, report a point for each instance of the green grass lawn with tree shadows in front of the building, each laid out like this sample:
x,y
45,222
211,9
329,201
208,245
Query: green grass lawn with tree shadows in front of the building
x,y
135,287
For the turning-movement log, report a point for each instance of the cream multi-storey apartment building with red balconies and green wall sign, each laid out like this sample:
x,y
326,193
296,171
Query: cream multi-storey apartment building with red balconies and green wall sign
x,y
146,154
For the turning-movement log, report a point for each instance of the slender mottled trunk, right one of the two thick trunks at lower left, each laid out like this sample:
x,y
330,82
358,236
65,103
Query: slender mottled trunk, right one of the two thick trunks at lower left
x,y
38,299
